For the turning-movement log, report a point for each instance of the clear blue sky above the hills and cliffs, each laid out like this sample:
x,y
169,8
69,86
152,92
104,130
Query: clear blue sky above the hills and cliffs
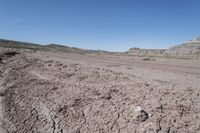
x,y
114,25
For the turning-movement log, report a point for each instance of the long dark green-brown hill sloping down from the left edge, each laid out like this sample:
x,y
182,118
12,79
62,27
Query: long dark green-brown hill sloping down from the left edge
x,y
26,46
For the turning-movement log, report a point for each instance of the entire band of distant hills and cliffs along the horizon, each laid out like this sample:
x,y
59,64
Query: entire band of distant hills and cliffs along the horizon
x,y
188,49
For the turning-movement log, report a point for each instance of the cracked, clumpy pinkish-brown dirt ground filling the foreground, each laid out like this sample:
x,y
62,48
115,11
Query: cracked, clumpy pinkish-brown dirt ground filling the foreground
x,y
47,92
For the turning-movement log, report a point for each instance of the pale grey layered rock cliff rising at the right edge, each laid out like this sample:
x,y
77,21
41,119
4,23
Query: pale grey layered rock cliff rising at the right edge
x,y
191,47
